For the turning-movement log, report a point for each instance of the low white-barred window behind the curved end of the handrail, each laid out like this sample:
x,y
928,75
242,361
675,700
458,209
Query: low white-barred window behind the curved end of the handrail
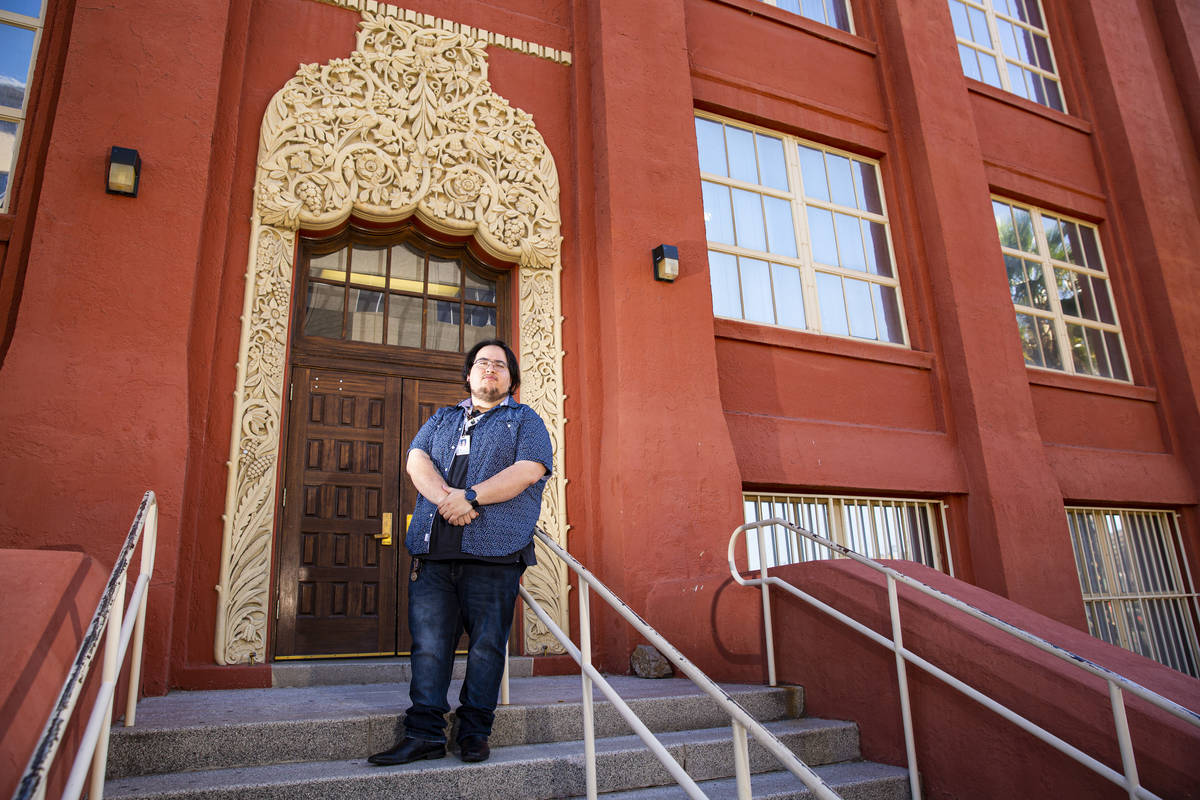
x,y
883,528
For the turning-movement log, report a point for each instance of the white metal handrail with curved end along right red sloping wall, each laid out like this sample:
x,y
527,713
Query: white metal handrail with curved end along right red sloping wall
x,y
1118,684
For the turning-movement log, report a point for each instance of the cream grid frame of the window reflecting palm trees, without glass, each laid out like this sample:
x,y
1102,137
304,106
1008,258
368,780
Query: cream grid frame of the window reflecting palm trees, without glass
x,y
1055,314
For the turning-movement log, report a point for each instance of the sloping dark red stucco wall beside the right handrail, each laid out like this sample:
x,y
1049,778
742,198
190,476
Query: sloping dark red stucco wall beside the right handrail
x,y
963,749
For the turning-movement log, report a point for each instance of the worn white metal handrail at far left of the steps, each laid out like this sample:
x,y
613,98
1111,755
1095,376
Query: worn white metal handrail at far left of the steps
x,y
122,628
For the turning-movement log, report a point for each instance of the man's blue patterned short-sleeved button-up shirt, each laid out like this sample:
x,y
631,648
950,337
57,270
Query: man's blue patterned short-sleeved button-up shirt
x,y
508,434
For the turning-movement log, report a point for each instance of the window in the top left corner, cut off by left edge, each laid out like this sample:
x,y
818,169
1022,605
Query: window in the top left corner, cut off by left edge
x,y
21,31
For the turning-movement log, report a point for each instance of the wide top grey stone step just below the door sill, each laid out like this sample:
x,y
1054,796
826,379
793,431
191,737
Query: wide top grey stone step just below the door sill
x,y
223,730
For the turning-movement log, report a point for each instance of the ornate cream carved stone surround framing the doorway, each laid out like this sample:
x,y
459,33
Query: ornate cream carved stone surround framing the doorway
x,y
407,124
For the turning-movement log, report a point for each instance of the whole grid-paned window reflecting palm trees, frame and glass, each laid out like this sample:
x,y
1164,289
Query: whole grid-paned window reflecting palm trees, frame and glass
x,y
1060,290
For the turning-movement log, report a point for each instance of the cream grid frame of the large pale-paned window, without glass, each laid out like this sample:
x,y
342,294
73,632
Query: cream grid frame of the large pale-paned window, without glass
x,y
805,262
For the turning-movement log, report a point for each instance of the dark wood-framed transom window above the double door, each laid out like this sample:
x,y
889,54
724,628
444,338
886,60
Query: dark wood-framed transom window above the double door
x,y
399,294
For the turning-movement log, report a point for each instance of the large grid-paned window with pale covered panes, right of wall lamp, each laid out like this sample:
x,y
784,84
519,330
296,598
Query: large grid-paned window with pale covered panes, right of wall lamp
x,y
797,234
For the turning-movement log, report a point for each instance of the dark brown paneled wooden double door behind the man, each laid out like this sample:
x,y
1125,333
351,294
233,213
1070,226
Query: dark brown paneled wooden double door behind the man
x,y
340,578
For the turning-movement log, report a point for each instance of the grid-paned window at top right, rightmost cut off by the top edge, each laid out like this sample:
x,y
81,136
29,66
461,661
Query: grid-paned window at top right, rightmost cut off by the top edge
x,y
1006,44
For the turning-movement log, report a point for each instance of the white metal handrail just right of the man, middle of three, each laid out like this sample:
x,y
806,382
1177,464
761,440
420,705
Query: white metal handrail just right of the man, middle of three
x,y
741,720
